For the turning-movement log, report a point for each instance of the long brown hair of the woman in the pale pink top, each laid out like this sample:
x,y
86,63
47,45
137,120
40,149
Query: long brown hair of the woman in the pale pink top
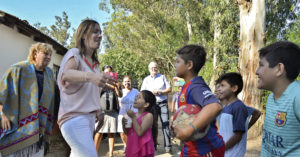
x,y
84,30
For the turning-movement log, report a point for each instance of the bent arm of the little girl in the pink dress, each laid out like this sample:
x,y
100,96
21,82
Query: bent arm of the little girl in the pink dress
x,y
146,123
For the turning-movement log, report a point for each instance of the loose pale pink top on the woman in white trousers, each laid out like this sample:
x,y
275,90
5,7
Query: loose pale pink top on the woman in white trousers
x,y
79,98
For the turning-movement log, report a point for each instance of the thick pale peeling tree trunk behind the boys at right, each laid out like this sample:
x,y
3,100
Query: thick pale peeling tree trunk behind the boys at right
x,y
252,22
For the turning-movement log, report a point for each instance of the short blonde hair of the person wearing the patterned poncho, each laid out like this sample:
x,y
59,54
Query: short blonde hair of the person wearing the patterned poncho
x,y
42,47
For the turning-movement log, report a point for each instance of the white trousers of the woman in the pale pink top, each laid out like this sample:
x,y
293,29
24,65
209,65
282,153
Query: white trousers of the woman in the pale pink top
x,y
78,133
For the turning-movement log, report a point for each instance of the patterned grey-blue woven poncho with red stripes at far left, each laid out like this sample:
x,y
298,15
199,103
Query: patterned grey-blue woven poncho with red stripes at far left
x,y
29,117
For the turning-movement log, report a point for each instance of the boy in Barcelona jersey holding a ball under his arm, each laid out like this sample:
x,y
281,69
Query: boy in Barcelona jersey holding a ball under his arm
x,y
189,61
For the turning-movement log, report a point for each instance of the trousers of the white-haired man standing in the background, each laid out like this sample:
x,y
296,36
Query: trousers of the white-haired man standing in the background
x,y
163,112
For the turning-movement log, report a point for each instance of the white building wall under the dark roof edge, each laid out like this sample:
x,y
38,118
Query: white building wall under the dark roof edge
x,y
14,47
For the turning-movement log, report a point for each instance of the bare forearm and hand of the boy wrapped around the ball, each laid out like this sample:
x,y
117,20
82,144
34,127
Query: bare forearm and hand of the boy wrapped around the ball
x,y
202,119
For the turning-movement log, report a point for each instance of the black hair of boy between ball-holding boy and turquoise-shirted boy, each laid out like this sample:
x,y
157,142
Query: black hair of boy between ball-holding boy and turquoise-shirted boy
x,y
232,79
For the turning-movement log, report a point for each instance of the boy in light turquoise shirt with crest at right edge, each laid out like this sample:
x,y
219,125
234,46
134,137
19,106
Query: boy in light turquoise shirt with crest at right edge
x,y
279,66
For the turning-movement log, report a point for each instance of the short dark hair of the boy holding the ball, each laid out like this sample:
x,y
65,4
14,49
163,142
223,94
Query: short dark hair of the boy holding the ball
x,y
194,53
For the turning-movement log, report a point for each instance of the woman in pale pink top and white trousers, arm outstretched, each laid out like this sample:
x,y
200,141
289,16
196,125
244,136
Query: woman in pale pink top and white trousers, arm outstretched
x,y
79,81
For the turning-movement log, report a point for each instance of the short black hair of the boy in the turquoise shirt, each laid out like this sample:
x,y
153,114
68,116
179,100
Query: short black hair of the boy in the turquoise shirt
x,y
284,52
